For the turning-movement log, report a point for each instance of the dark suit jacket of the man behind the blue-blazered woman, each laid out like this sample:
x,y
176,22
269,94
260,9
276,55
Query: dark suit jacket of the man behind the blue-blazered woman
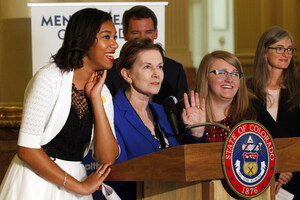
x,y
174,83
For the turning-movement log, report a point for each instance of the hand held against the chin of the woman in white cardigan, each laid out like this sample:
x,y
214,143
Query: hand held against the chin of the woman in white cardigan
x,y
95,84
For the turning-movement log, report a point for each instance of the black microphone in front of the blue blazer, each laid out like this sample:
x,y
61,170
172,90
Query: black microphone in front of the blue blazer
x,y
171,111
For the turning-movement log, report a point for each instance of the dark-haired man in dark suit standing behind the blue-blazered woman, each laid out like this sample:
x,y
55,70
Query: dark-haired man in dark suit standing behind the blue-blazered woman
x,y
140,21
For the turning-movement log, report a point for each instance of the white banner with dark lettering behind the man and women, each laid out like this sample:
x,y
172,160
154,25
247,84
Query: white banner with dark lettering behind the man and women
x,y
49,21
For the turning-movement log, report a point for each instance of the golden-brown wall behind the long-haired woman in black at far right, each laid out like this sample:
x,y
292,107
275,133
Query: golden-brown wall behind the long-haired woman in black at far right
x,y
253,17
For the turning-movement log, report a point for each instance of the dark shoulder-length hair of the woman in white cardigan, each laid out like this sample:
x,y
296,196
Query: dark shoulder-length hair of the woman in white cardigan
x,y
80,35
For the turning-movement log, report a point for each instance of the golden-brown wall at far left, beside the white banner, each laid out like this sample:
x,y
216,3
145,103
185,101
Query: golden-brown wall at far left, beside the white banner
x,y
15,52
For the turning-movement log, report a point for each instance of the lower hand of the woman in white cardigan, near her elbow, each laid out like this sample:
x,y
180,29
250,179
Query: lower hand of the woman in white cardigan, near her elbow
x,y
95,180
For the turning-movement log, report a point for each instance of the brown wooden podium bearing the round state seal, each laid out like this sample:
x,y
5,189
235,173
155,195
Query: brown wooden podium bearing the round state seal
x,y
194,171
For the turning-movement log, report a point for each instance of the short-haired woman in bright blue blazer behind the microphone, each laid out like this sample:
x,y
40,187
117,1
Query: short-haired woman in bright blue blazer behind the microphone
x,y
141,126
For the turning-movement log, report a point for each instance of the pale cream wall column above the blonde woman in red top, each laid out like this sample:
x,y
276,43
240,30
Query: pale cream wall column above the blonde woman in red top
x,y
206,35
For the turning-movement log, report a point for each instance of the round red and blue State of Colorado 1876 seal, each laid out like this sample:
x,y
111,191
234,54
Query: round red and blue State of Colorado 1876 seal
x,y
249,159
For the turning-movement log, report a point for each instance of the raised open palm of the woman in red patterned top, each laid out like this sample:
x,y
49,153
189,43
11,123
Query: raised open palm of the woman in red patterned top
x,y
194,112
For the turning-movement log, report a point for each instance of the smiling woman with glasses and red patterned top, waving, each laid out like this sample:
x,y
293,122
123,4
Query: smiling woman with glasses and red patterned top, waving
x,y
224,97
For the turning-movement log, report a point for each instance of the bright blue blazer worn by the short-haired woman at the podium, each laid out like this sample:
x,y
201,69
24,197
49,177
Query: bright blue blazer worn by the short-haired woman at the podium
x,y
134,138
